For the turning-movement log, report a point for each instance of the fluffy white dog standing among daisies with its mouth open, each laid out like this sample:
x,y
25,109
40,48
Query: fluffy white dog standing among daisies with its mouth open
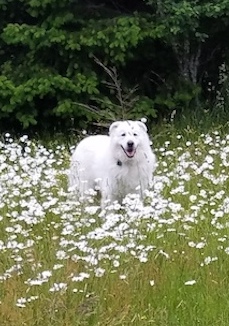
x,y
119,164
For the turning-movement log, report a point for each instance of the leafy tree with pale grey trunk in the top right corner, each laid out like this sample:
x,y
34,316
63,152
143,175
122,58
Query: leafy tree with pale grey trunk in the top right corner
x,y
188,27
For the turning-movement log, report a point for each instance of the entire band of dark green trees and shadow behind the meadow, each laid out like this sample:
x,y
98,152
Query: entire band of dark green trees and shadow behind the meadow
x,y
74,64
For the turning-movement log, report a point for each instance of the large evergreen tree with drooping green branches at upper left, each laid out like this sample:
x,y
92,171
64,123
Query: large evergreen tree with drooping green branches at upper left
x,y
51,69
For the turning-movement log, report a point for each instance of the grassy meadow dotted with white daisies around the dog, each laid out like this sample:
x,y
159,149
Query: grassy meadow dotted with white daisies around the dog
x,y
164,263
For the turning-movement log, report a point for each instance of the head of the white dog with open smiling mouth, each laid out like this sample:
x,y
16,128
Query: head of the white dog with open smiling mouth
x,y
129,136
